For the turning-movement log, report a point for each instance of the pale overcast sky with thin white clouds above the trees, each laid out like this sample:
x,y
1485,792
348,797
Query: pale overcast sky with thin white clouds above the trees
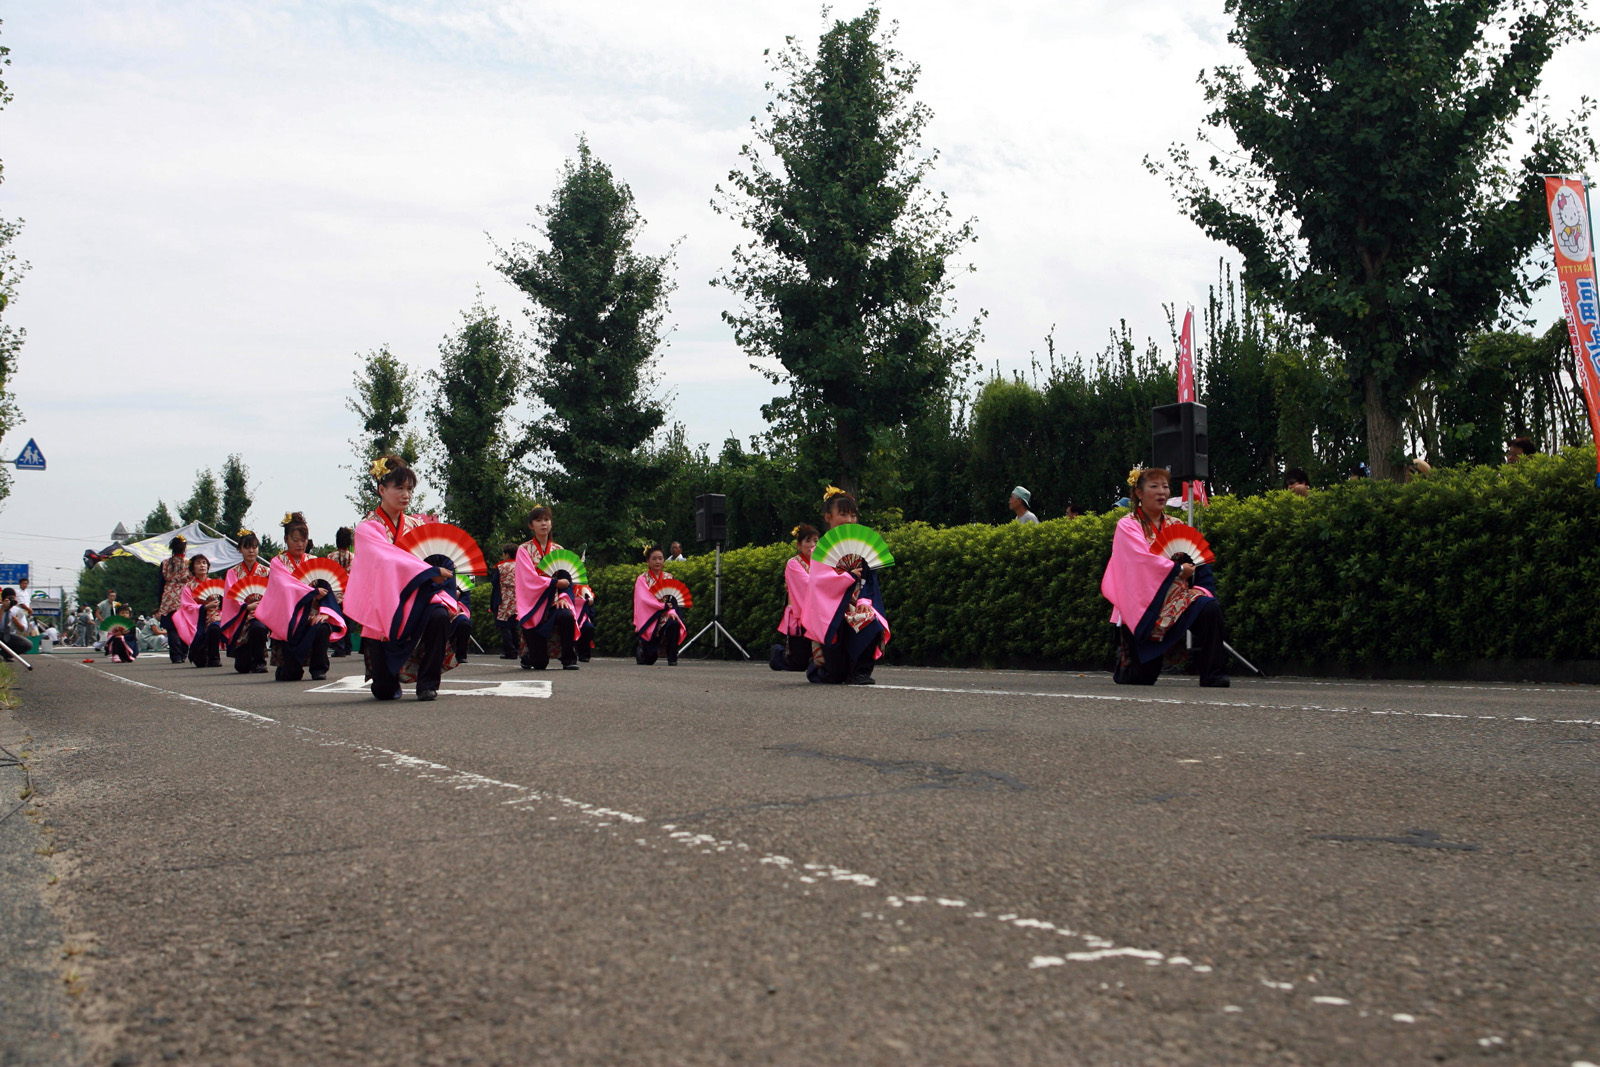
x,y
226,204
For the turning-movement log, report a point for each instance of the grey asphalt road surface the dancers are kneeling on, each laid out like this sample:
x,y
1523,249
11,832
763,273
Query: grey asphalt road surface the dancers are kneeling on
x,y
719,865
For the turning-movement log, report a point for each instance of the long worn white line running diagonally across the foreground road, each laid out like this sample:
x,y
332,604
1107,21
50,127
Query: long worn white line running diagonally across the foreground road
x,y
529,799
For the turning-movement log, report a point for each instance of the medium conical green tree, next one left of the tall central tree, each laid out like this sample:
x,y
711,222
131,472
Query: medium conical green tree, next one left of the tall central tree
x,y
599,310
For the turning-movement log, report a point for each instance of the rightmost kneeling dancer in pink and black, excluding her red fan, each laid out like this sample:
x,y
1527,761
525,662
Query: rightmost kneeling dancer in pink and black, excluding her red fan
x,y
1156,599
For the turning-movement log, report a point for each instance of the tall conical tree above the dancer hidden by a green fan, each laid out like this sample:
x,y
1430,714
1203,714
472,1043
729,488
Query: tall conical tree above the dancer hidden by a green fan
x,y
847,281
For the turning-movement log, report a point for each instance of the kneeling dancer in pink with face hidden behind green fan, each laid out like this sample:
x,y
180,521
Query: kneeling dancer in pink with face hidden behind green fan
x,y
844,613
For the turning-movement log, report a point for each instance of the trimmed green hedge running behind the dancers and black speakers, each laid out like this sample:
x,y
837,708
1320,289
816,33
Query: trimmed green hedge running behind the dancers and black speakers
x,y
1466,565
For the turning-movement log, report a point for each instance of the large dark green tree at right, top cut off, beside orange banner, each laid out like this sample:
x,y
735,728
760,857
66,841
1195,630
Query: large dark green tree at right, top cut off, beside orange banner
x,y
1374,191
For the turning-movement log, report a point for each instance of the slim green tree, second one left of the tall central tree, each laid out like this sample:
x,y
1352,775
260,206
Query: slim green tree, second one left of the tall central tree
x,y
476,455
